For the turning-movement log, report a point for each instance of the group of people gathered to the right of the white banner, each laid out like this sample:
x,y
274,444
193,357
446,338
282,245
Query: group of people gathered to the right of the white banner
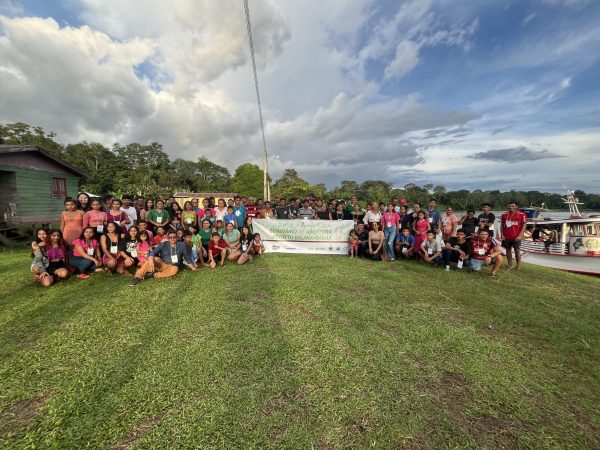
x,y
393,231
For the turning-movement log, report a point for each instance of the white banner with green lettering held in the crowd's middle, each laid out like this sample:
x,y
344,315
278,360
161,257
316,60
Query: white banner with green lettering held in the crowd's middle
x,y
304,236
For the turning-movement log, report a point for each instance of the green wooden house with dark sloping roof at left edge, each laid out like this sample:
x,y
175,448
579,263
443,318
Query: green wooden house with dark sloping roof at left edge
x,y
34,185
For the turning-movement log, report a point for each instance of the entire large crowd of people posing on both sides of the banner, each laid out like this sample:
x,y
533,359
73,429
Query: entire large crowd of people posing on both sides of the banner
x,y
150,238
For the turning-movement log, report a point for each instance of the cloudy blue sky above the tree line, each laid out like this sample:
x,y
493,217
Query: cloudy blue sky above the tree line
x,y
491,95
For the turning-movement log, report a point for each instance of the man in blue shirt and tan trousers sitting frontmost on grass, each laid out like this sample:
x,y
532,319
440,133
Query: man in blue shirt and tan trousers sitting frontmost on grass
x,y
165,260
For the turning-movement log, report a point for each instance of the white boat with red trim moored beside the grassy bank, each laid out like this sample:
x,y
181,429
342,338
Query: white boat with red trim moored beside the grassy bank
x,y
571,244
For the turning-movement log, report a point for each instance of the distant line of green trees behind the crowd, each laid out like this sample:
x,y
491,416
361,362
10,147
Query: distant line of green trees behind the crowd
x,y
147,170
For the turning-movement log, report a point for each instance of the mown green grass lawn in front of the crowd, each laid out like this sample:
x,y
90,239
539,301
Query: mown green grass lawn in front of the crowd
x,y
300,352
